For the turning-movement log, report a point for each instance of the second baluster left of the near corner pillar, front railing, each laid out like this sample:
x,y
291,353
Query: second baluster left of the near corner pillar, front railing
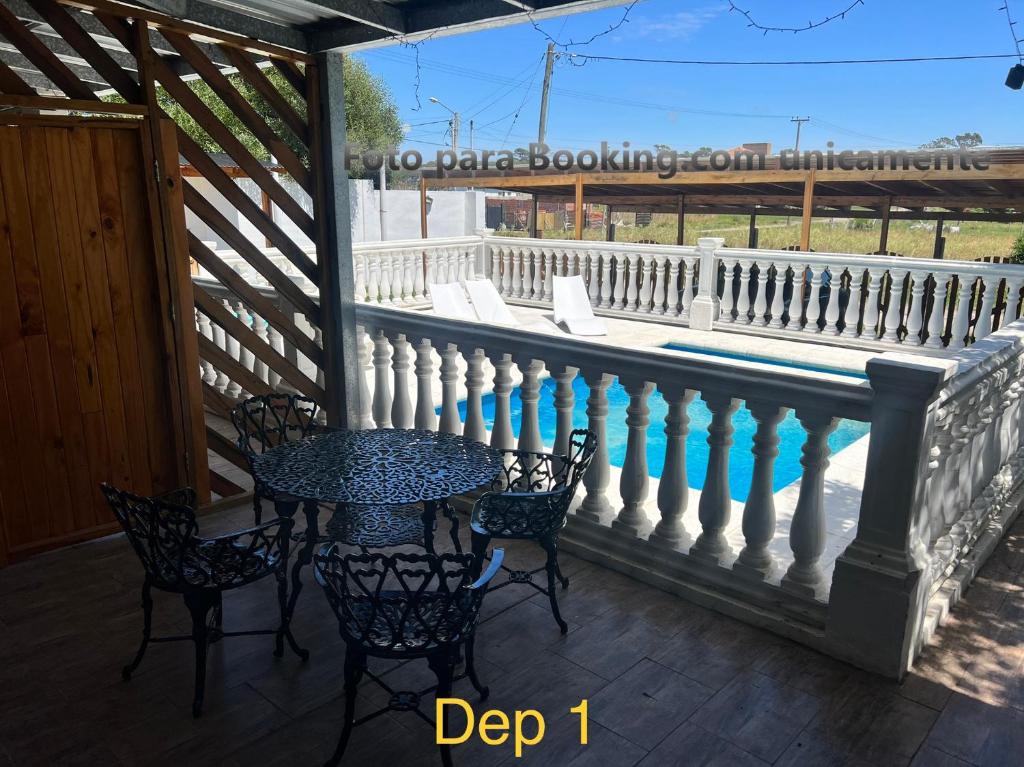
x,y
759,514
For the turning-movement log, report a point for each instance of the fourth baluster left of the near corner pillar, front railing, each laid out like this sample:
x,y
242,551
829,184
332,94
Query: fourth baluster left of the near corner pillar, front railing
x,y
673,491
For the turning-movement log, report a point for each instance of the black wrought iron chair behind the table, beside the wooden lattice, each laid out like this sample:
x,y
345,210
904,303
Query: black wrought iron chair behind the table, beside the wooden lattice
x,y
266,422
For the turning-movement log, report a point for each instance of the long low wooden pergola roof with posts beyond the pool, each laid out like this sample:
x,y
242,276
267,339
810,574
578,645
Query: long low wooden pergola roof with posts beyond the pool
x,y
993,195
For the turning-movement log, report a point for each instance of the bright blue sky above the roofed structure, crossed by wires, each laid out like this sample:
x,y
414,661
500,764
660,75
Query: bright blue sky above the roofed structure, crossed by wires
x,y
494,77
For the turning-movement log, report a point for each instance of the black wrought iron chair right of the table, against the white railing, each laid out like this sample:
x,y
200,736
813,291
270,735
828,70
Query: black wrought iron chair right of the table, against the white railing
x,y
530,501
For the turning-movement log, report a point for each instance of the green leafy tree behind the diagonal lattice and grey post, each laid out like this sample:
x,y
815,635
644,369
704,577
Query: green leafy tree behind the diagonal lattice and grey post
x,y
371,117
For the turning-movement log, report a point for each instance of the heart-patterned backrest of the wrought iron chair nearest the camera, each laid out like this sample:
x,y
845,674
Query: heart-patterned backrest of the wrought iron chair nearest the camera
x,y
402,605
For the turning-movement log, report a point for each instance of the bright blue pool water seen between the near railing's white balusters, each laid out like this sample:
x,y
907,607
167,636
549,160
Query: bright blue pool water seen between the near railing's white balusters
x,y
791,434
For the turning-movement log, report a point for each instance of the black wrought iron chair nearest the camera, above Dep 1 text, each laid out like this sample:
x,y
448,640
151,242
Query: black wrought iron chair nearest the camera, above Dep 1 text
x,y
404,607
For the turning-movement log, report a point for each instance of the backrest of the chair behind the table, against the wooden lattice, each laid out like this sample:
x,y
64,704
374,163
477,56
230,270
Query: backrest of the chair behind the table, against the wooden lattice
x,y
268,421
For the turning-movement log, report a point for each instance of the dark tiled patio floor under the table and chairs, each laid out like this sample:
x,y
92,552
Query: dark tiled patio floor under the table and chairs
x,y
668,684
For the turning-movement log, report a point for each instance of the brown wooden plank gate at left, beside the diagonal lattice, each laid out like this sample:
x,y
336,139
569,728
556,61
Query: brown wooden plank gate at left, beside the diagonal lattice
x,y
91,385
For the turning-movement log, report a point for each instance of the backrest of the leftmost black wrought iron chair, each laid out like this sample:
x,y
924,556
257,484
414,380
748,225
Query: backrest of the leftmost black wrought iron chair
x,y
161,532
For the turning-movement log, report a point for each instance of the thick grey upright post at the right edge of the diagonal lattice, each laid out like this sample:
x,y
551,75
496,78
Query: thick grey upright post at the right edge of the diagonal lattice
x,y
337,275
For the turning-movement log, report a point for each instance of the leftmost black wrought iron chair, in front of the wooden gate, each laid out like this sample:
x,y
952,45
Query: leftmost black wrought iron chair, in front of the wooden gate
x,y
164,534
